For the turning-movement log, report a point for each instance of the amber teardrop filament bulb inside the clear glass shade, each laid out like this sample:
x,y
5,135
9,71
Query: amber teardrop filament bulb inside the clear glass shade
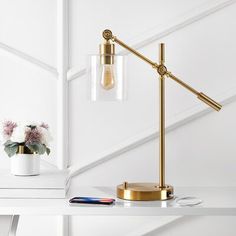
x,y
108,79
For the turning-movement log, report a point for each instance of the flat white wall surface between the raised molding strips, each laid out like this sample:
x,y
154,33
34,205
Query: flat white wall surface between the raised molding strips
x,y
201,53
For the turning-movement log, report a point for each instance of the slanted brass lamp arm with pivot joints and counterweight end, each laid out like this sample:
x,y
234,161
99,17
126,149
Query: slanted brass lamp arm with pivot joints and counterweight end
x,y
162,70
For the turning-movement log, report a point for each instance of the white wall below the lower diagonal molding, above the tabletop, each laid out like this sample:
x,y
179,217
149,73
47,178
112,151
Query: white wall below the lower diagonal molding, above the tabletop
x,y
209,162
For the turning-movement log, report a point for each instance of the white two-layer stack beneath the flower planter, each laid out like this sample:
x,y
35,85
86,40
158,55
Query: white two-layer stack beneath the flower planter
x,y
51,183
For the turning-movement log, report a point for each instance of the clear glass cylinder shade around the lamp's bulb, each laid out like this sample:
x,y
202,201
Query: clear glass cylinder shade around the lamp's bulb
x,y
107,81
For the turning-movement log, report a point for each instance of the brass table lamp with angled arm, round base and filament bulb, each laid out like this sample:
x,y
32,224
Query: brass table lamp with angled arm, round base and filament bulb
x,y
109,82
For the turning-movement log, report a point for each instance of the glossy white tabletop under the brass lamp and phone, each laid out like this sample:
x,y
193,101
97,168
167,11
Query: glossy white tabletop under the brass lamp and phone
x,y
215,201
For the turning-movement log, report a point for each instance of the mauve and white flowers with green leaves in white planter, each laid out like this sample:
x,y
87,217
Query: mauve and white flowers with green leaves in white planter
x,y
34,137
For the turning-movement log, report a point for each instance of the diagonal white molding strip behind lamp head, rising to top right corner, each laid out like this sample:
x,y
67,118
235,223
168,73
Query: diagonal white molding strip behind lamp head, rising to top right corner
x,y
163,30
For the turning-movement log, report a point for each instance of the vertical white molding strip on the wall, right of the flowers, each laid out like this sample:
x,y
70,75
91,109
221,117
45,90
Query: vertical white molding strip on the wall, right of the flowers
x,y
62,84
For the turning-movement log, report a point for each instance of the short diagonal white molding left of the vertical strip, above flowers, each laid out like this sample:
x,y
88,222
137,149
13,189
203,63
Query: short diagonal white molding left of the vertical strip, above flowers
x,y
28,59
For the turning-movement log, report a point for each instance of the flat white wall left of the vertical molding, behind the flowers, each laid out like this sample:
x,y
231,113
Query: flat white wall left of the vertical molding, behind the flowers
x,y
27,92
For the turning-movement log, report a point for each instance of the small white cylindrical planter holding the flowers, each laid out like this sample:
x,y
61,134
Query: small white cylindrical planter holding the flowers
x,y
25,164
